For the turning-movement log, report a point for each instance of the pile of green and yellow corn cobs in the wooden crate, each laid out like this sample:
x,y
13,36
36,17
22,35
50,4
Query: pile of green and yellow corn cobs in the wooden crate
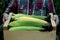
x,y
23,22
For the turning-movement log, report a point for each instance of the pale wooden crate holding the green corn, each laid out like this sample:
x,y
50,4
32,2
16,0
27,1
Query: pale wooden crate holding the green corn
x,y
27,35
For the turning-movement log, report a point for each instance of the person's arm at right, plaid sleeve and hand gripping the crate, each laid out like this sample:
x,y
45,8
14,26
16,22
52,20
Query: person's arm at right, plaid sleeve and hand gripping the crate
x,y
53,13
